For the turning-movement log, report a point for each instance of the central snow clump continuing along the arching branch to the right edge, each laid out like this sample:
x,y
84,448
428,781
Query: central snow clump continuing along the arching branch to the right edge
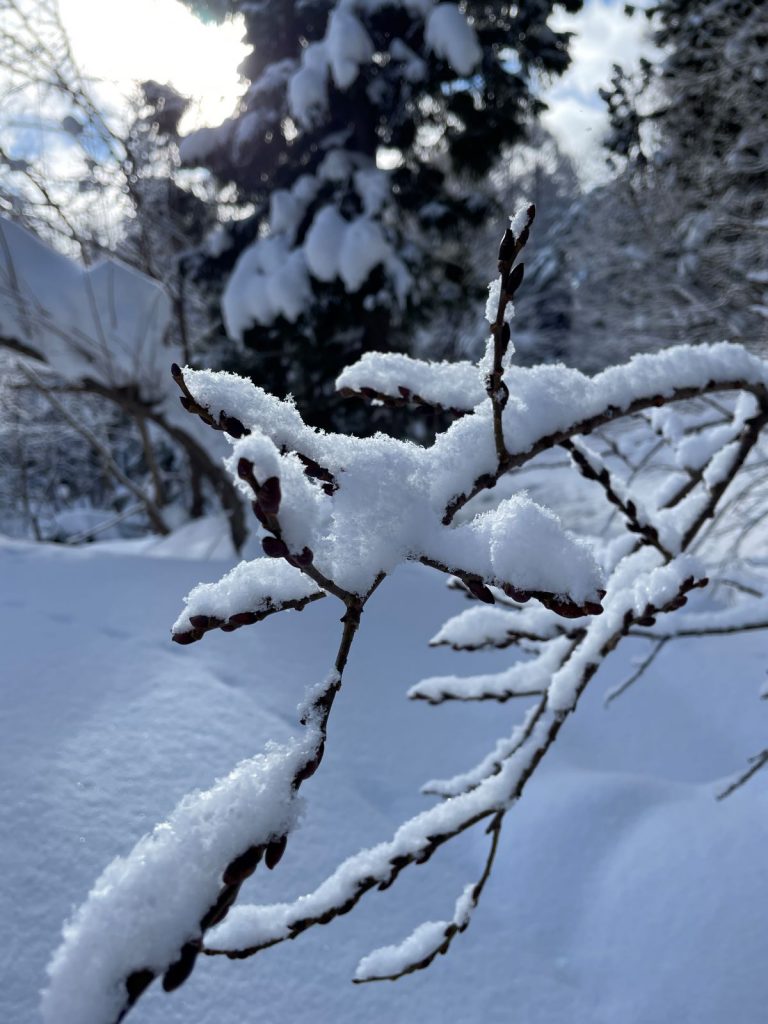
x,y
405,490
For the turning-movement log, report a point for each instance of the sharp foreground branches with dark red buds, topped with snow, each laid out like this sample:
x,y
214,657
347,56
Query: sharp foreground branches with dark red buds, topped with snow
x,y
338,516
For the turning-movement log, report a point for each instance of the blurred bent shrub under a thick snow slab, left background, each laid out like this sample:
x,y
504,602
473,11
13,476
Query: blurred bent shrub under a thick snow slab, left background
x,y
102,333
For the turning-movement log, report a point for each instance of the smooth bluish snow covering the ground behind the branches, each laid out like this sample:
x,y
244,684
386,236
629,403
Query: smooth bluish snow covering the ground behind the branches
x,y
623,891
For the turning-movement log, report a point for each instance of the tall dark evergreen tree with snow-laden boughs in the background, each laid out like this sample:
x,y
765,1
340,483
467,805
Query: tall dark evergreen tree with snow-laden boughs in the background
x,y
361,147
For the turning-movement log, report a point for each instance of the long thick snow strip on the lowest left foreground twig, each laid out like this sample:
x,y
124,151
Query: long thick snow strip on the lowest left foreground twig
x,y
168,882
